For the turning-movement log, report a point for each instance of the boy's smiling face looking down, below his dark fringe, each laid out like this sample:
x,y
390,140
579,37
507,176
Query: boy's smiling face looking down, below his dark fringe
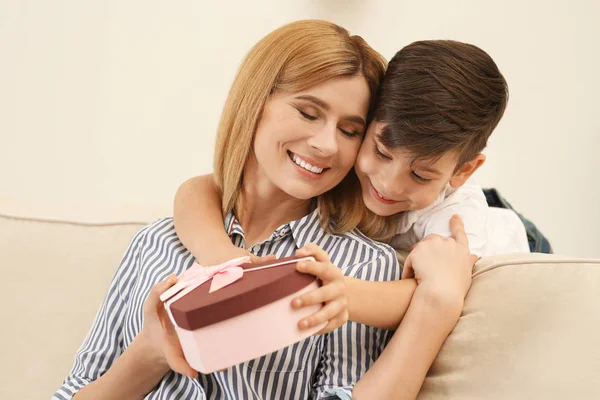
x,y
391,184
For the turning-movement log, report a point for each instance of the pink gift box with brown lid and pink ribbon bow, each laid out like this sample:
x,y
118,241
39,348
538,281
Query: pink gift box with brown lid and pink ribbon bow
x,y
238,311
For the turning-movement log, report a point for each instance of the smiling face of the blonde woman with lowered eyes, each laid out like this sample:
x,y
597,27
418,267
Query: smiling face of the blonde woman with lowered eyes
x,y
306,142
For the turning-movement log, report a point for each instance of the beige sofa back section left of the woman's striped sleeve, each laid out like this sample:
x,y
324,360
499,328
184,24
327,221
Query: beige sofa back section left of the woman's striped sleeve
x,y
55,276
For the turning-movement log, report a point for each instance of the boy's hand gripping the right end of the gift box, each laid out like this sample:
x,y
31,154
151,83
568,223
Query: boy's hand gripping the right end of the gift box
x,y
332,293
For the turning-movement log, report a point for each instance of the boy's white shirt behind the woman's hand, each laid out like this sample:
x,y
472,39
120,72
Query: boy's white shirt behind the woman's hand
x,y
490,231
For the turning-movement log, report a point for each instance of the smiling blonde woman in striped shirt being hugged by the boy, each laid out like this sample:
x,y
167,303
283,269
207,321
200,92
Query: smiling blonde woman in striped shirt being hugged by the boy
x,y
131,351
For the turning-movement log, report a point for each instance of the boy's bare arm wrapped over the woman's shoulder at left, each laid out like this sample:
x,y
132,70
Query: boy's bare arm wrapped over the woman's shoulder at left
x,y
199,222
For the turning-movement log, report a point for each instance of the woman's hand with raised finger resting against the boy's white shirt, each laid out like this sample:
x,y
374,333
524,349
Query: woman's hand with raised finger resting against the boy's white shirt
x,y
445,265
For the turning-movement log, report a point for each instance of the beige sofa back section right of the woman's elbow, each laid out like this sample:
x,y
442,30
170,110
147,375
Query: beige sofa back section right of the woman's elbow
x,y
529,330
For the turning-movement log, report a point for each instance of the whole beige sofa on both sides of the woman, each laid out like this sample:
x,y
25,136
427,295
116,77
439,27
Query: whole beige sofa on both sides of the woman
x,y
529,329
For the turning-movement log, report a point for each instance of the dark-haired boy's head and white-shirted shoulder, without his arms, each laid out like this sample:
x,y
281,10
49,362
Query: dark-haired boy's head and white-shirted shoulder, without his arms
x,y
438,104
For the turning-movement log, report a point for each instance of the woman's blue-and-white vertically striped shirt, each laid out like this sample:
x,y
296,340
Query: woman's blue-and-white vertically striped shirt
x,y
319,367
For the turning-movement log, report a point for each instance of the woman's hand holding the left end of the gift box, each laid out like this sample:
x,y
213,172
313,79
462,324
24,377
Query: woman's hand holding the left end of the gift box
x,y
160,332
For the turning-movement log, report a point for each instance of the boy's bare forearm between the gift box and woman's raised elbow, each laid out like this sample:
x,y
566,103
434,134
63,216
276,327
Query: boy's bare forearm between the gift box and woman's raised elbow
x,y
379,304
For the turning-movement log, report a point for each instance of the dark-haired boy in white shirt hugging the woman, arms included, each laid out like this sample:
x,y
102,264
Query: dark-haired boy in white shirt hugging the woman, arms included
x,y
437,106
